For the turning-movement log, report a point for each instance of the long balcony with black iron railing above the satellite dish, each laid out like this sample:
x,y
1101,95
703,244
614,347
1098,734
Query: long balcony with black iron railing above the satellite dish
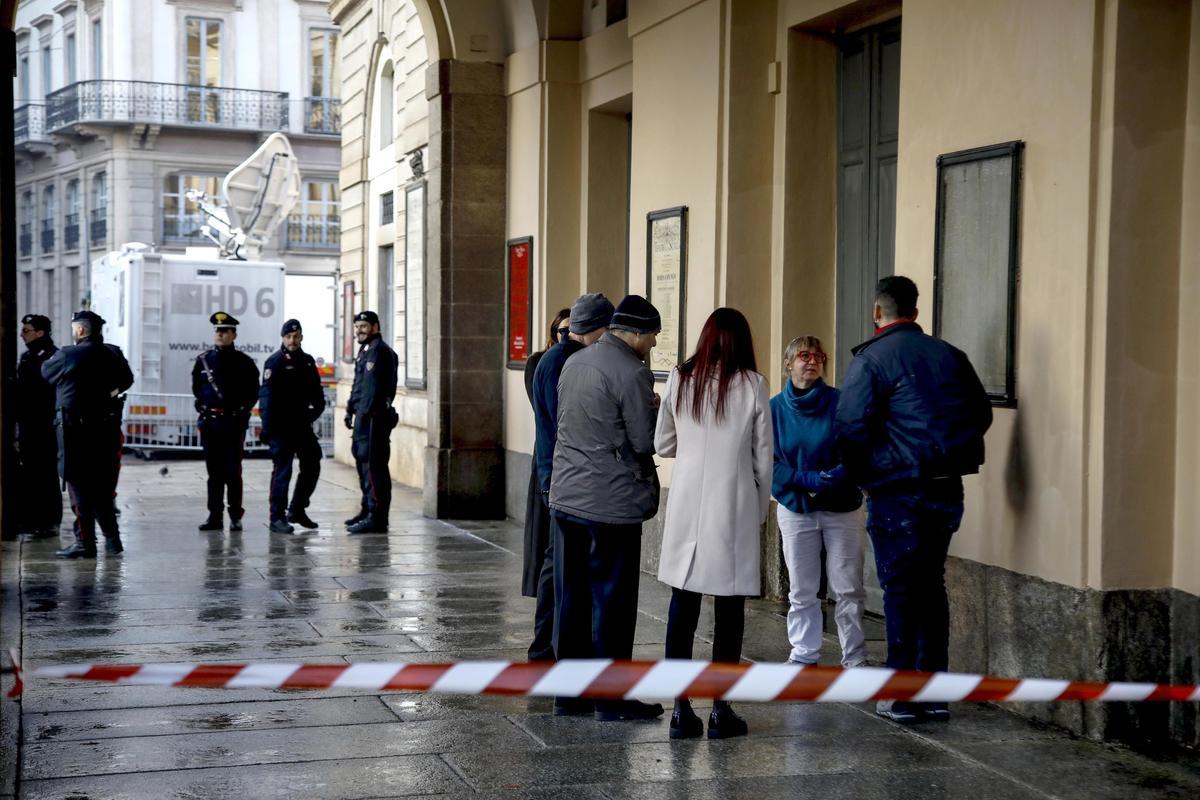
x,y
166,104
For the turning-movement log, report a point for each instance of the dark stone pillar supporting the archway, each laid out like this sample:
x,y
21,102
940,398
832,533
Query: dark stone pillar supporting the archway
x,y
469,134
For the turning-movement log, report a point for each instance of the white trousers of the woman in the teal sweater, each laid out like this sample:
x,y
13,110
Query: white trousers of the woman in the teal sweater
x,y
843,536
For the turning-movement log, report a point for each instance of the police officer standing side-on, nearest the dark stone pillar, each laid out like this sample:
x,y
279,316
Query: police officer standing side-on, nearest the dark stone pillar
x,y
370,416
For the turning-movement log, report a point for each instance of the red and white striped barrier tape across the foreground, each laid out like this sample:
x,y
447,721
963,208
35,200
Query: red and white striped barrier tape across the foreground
x,y
605,679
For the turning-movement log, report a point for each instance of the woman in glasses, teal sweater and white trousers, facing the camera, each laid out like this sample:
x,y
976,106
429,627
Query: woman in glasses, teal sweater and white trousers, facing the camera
x,y
818,507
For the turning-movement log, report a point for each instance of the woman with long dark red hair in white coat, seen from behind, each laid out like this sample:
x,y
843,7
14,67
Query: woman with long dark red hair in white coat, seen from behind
x,y
716,422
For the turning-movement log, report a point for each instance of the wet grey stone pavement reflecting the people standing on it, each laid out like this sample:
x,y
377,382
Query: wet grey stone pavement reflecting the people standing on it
x,y
429,592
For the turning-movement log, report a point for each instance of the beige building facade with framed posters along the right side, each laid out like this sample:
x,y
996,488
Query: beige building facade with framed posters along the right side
x,y
1035,167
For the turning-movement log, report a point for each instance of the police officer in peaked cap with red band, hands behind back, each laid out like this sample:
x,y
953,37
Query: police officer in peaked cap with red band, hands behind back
x,y
225,383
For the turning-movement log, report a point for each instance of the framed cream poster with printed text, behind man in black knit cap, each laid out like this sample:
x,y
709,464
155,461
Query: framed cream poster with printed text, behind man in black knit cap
x,y
667,275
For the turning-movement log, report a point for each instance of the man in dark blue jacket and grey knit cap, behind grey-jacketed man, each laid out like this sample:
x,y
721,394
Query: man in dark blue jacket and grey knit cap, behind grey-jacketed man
x,y
589,322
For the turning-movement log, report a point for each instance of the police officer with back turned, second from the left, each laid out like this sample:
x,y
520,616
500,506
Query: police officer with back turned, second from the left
x,y
89,380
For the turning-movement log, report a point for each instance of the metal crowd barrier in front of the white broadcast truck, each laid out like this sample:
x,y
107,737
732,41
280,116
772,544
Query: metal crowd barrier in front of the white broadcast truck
x,y
167,423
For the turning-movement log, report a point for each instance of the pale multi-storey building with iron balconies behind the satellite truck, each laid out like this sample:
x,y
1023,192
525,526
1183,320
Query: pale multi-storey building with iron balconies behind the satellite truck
x,y
122,106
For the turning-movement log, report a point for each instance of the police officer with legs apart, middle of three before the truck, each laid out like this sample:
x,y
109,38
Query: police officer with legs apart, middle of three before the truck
x,y
289,404
